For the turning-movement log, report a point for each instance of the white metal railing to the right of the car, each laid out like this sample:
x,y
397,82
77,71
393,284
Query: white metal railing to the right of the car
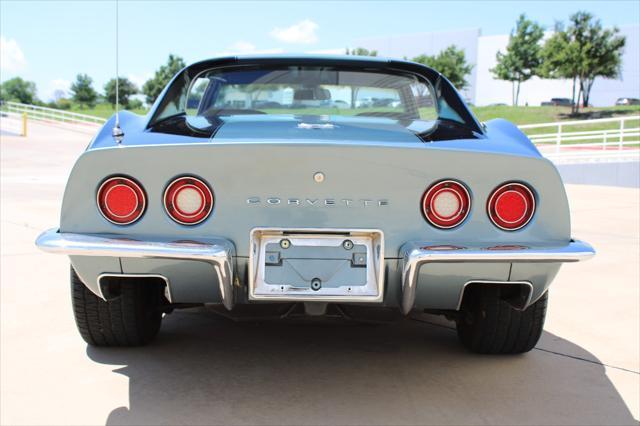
x,y
619,142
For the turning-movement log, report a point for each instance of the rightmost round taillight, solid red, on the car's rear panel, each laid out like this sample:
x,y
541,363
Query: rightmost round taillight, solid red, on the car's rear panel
x,y
511,206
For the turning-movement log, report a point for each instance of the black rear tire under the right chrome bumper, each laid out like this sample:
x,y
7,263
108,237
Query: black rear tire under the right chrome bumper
x,y
489,325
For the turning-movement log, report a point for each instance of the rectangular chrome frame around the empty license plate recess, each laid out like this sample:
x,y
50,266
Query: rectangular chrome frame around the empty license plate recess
x,y
256,253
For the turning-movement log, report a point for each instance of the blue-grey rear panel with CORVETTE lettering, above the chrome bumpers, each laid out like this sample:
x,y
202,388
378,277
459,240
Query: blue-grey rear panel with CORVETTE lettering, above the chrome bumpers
x,y
270,183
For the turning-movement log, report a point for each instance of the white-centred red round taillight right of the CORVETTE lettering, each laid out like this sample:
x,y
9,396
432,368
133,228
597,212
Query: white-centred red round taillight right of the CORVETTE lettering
x,y
446,204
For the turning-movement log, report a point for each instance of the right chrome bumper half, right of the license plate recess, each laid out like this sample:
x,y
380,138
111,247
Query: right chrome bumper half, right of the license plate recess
x,y
416,254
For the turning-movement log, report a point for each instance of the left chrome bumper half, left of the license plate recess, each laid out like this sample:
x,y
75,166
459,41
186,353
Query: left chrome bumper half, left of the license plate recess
x,y
218,252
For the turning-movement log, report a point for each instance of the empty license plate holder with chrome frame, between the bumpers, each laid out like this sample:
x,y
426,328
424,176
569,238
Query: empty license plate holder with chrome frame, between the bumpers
x,y
323,265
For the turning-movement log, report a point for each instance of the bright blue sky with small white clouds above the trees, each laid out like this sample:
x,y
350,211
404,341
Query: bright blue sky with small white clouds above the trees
x,y
49,42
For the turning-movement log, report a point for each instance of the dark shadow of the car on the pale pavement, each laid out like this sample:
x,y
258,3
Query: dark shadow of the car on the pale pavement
x,y
204,369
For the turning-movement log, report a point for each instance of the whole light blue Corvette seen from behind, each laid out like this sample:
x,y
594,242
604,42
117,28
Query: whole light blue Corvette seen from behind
x,y
289,186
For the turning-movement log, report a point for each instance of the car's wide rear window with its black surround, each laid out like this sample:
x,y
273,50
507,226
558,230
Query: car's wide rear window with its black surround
x,y
209,96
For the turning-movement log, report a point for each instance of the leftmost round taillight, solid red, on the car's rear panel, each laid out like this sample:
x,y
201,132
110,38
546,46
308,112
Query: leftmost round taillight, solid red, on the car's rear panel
x,y
121,200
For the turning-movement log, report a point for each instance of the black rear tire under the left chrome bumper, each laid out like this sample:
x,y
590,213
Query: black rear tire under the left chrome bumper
x,y
132,318
